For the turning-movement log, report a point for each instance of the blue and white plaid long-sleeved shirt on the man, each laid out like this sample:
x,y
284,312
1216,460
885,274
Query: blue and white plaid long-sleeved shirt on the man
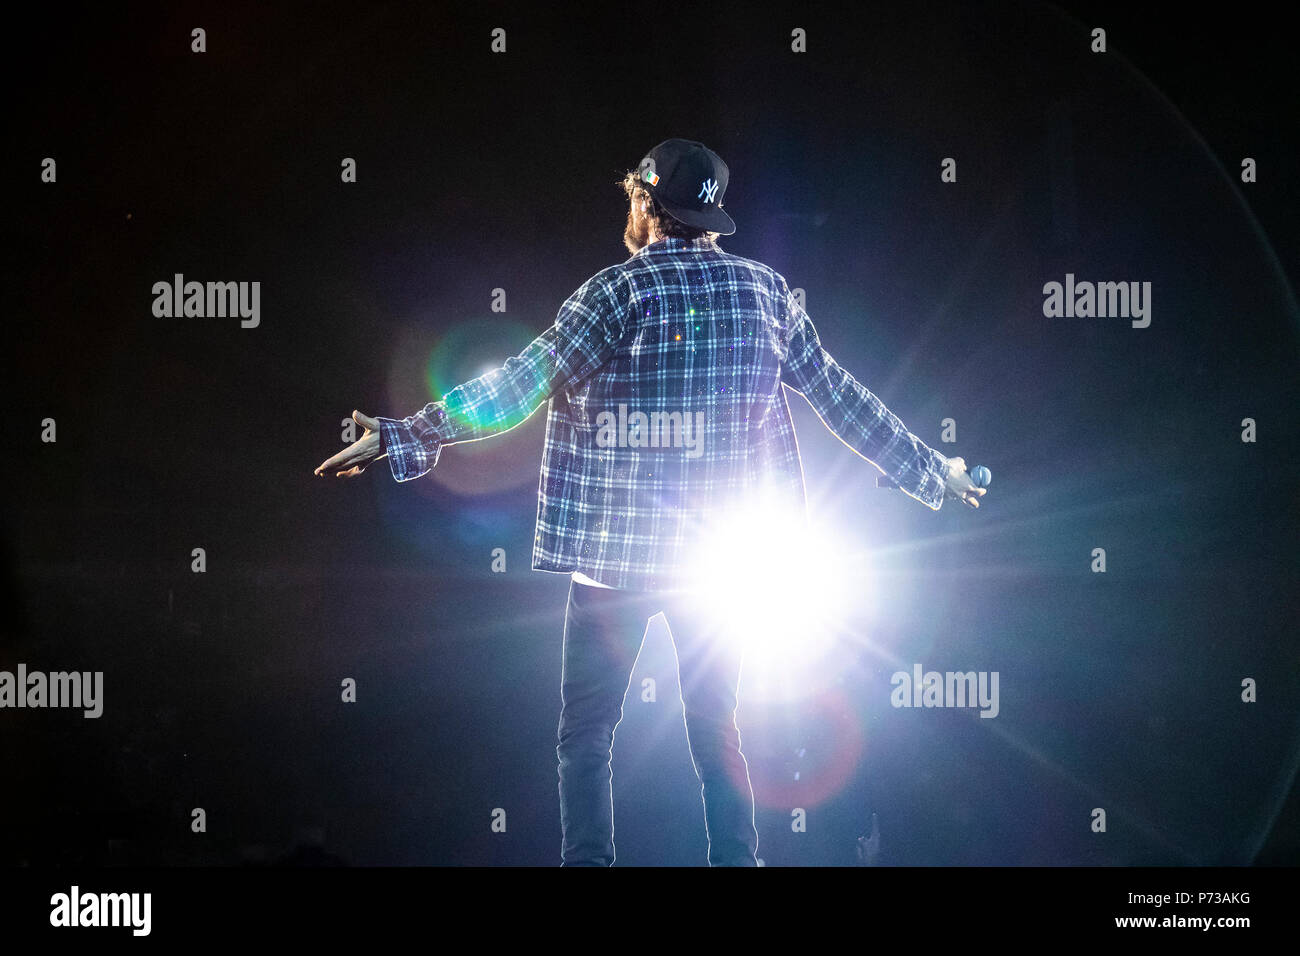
x,y
666,408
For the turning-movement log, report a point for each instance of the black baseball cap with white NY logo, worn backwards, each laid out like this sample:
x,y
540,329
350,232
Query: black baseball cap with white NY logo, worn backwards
x,y
688,180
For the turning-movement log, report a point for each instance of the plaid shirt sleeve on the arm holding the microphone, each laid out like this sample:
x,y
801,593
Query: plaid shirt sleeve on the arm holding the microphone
x,y
853,413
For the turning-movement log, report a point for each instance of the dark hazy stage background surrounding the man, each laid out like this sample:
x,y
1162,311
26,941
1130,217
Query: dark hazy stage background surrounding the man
x,y
482,171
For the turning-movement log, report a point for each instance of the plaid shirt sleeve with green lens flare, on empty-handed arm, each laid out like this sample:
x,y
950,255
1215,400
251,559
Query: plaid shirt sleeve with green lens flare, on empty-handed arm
x,y
583,339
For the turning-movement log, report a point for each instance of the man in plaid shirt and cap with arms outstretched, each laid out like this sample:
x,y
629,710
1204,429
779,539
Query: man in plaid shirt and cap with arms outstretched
x,y
666,413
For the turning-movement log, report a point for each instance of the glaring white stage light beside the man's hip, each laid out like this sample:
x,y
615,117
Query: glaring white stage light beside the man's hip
x,y
782,589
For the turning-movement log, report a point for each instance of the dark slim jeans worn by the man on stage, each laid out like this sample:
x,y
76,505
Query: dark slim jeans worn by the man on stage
x,y
603,638
